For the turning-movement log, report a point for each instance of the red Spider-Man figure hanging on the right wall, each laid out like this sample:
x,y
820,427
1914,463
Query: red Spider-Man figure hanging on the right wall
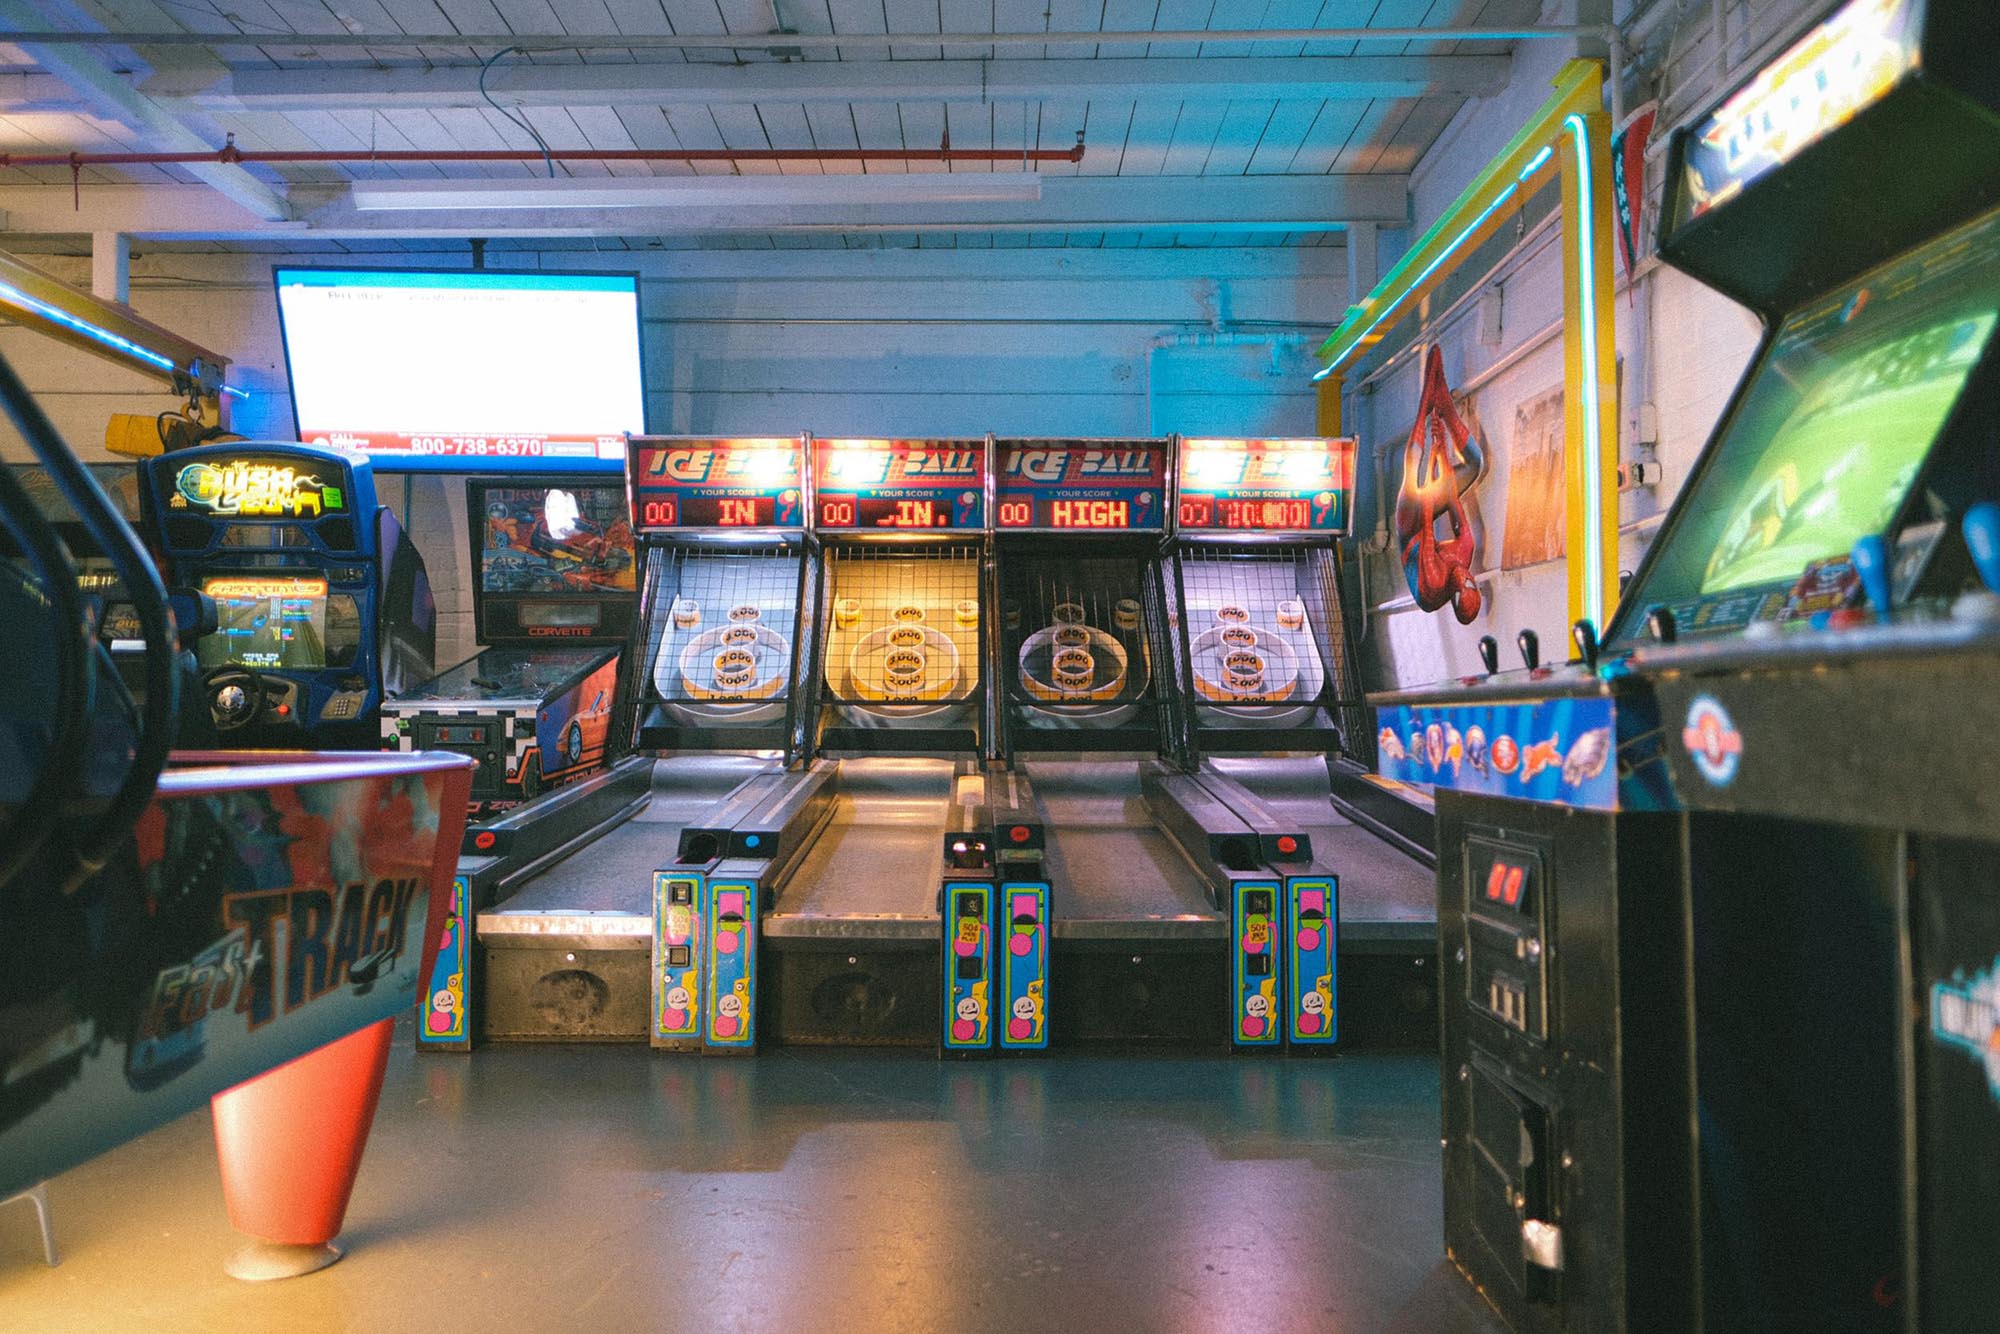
x,y
1441,467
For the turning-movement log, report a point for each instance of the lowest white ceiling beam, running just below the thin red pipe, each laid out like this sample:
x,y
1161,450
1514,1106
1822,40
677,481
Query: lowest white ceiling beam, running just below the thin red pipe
x,y
1067,205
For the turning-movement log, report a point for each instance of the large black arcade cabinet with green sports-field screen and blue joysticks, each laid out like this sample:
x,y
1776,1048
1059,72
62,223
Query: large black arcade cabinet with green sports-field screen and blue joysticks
x,y
1721,893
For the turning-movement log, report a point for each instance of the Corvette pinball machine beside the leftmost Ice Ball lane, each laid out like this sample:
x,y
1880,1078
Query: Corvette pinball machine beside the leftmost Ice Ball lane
x,y
555,585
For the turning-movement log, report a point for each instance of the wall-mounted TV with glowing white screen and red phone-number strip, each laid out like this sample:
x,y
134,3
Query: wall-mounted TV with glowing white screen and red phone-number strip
x,y
465,371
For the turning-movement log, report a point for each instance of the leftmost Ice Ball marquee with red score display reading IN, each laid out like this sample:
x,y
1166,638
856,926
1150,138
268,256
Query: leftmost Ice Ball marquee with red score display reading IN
x,y
745,483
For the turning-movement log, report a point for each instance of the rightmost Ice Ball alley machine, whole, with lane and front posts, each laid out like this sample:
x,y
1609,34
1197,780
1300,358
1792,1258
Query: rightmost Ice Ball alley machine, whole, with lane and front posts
x,y
1269,697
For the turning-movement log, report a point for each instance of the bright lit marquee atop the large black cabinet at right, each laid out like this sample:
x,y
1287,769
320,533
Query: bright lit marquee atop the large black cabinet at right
x,y
1799,99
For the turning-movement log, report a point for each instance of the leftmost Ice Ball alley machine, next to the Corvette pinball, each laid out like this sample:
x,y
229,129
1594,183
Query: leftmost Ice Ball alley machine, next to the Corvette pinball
x,y
651,935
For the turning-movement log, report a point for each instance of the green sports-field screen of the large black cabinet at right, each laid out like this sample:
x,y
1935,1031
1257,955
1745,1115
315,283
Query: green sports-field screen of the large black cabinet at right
x,y
1831,435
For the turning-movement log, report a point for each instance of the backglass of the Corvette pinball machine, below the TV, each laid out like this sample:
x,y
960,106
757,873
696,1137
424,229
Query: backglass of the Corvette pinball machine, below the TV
x,y
555,541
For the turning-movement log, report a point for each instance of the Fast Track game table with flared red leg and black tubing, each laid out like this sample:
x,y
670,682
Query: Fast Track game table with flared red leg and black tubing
x,y
209,927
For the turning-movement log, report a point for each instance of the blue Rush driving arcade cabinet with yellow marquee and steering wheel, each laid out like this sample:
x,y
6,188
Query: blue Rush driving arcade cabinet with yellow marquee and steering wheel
x,y
323,601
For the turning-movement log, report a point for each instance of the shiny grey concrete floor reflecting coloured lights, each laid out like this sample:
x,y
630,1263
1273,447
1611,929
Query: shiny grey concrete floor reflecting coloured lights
x,y
561,1189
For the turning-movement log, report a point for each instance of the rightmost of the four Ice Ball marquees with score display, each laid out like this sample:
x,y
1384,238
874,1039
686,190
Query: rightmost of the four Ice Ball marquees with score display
x,y
1267,485
